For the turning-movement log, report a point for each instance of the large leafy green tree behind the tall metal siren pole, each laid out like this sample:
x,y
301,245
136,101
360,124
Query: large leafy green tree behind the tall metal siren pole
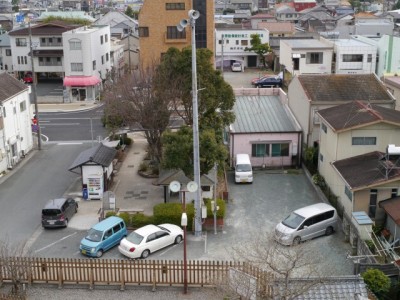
x,y
215,96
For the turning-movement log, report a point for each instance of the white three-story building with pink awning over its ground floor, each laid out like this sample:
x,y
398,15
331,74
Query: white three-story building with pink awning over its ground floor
x,y
87,61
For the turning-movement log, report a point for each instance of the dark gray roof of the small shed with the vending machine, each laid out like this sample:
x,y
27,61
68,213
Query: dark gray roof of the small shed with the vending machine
x,y
100,155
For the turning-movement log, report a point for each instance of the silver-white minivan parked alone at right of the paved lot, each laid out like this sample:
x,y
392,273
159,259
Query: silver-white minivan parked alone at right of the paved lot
x,y
306,223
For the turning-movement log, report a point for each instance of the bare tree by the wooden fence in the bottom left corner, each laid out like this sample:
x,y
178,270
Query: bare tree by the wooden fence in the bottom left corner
x,y
16,265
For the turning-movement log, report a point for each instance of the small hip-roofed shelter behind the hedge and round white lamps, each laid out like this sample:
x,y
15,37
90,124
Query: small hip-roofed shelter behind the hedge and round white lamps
x,y
167,176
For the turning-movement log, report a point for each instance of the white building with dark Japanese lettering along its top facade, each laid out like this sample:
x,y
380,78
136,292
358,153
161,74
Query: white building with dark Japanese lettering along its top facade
x,y
231,43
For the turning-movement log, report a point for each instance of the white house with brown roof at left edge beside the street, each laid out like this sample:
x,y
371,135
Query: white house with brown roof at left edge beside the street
x,y
15,122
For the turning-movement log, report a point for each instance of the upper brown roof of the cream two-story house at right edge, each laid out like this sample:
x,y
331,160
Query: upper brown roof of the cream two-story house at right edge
x,y
358,113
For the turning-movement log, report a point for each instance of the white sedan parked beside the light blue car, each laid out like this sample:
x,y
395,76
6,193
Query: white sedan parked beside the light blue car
x,y
150,238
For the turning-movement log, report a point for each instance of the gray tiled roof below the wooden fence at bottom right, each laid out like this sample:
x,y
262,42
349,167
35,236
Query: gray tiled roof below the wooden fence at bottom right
x,y
343,287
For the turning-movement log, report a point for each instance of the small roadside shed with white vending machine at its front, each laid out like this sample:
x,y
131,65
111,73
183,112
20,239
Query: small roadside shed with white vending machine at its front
x,y
96,165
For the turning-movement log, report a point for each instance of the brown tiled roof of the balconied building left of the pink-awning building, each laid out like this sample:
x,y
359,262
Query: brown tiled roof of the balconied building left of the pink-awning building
x,y
54,28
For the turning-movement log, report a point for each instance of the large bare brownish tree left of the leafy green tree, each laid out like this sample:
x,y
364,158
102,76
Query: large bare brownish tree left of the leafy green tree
x,y
134,102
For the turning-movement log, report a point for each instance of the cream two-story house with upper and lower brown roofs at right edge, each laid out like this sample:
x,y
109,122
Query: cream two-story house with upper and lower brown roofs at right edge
x,y
353,160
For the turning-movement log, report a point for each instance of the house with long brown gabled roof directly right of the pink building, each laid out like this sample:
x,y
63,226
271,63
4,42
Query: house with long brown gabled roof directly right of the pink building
x,y
307,94
